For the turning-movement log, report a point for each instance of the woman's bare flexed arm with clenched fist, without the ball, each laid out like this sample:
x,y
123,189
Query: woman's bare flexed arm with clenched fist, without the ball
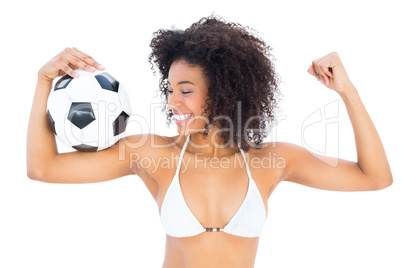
x,y
370,172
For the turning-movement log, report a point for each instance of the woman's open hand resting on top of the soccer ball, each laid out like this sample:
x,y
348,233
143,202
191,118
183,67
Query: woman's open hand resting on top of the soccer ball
x,y
66,62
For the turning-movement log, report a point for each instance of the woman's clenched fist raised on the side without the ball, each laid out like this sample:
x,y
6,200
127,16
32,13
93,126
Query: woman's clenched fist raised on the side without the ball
x,y
329,71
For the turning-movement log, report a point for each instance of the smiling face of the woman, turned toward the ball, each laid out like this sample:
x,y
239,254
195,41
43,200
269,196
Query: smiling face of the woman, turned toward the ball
x,y
188,90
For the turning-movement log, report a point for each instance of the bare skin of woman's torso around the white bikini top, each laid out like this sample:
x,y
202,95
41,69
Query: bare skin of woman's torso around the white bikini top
x,y
213,190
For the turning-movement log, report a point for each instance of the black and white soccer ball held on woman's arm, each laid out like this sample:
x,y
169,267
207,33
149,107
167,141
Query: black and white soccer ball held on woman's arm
x,y
88,113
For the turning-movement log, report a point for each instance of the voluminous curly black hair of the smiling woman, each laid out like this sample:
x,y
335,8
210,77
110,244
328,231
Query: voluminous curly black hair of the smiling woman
x,y
243,84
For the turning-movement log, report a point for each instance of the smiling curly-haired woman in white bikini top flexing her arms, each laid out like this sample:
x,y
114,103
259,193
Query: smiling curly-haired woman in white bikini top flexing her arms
x,y
219,84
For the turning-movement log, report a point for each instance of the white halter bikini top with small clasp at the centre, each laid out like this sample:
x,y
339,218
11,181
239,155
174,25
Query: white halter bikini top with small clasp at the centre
x,y
178,220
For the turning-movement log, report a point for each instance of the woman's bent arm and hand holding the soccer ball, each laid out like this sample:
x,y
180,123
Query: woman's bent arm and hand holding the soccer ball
x,y
43,161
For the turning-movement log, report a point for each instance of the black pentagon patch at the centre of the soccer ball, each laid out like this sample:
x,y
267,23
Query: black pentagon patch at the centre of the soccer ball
x,y
81,114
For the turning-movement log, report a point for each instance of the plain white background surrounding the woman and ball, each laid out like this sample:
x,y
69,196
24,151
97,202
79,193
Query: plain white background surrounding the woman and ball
x,y
116,223
